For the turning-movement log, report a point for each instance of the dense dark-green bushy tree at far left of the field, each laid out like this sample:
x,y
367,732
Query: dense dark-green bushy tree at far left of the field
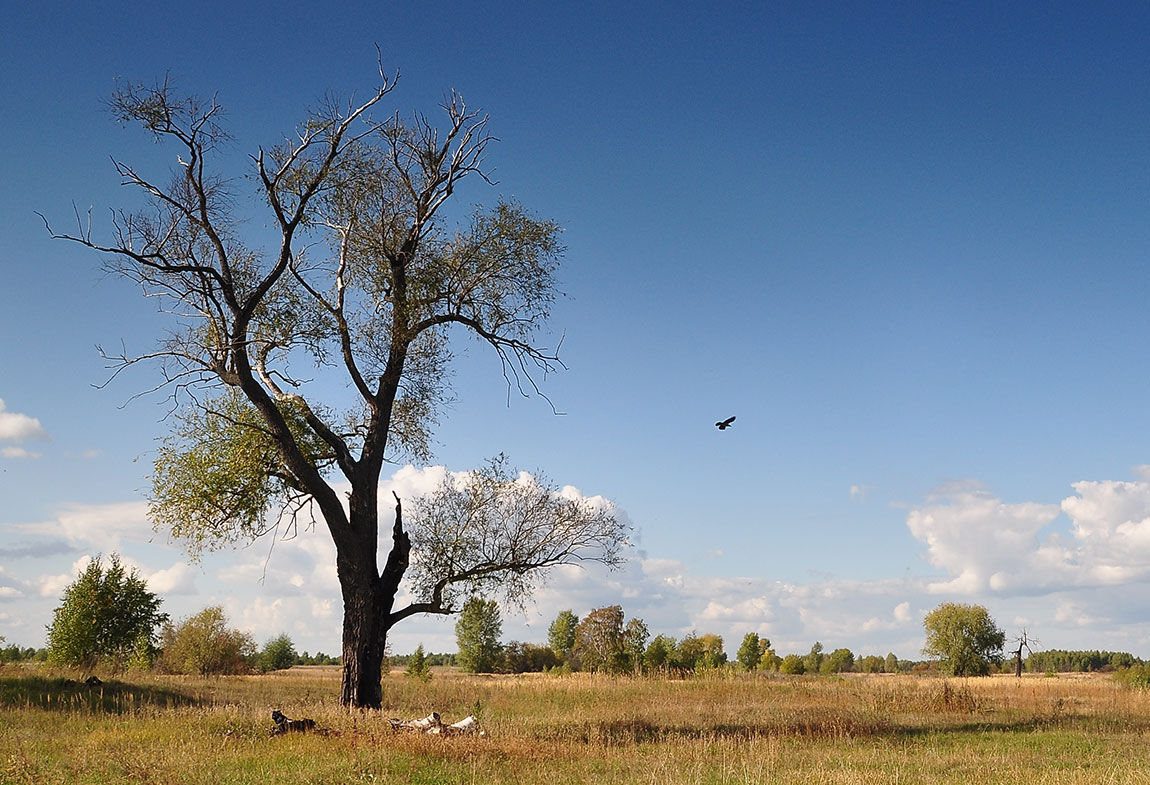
x,y
108,615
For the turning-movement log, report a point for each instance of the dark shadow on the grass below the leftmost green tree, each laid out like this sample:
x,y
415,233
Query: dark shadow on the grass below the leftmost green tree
x,y
64,695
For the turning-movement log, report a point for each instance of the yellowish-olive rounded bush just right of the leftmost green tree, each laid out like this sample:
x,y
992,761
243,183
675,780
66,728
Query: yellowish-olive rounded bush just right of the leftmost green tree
x,y
205,645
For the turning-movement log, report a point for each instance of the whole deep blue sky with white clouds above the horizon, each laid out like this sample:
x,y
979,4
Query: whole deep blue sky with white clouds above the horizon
x,y
904,243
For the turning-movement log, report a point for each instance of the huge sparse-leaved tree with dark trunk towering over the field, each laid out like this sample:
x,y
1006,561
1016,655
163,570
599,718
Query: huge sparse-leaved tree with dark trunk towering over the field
x,y
365,281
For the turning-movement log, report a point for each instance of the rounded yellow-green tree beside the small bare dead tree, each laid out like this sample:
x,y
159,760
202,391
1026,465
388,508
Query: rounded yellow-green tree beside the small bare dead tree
x,y
964,638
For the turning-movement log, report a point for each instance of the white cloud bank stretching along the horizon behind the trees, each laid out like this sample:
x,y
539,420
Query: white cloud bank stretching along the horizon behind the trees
x,y
1048,566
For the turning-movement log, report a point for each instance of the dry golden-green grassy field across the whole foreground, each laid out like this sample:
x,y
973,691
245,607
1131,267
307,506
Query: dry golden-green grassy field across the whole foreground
x,y
578,729
